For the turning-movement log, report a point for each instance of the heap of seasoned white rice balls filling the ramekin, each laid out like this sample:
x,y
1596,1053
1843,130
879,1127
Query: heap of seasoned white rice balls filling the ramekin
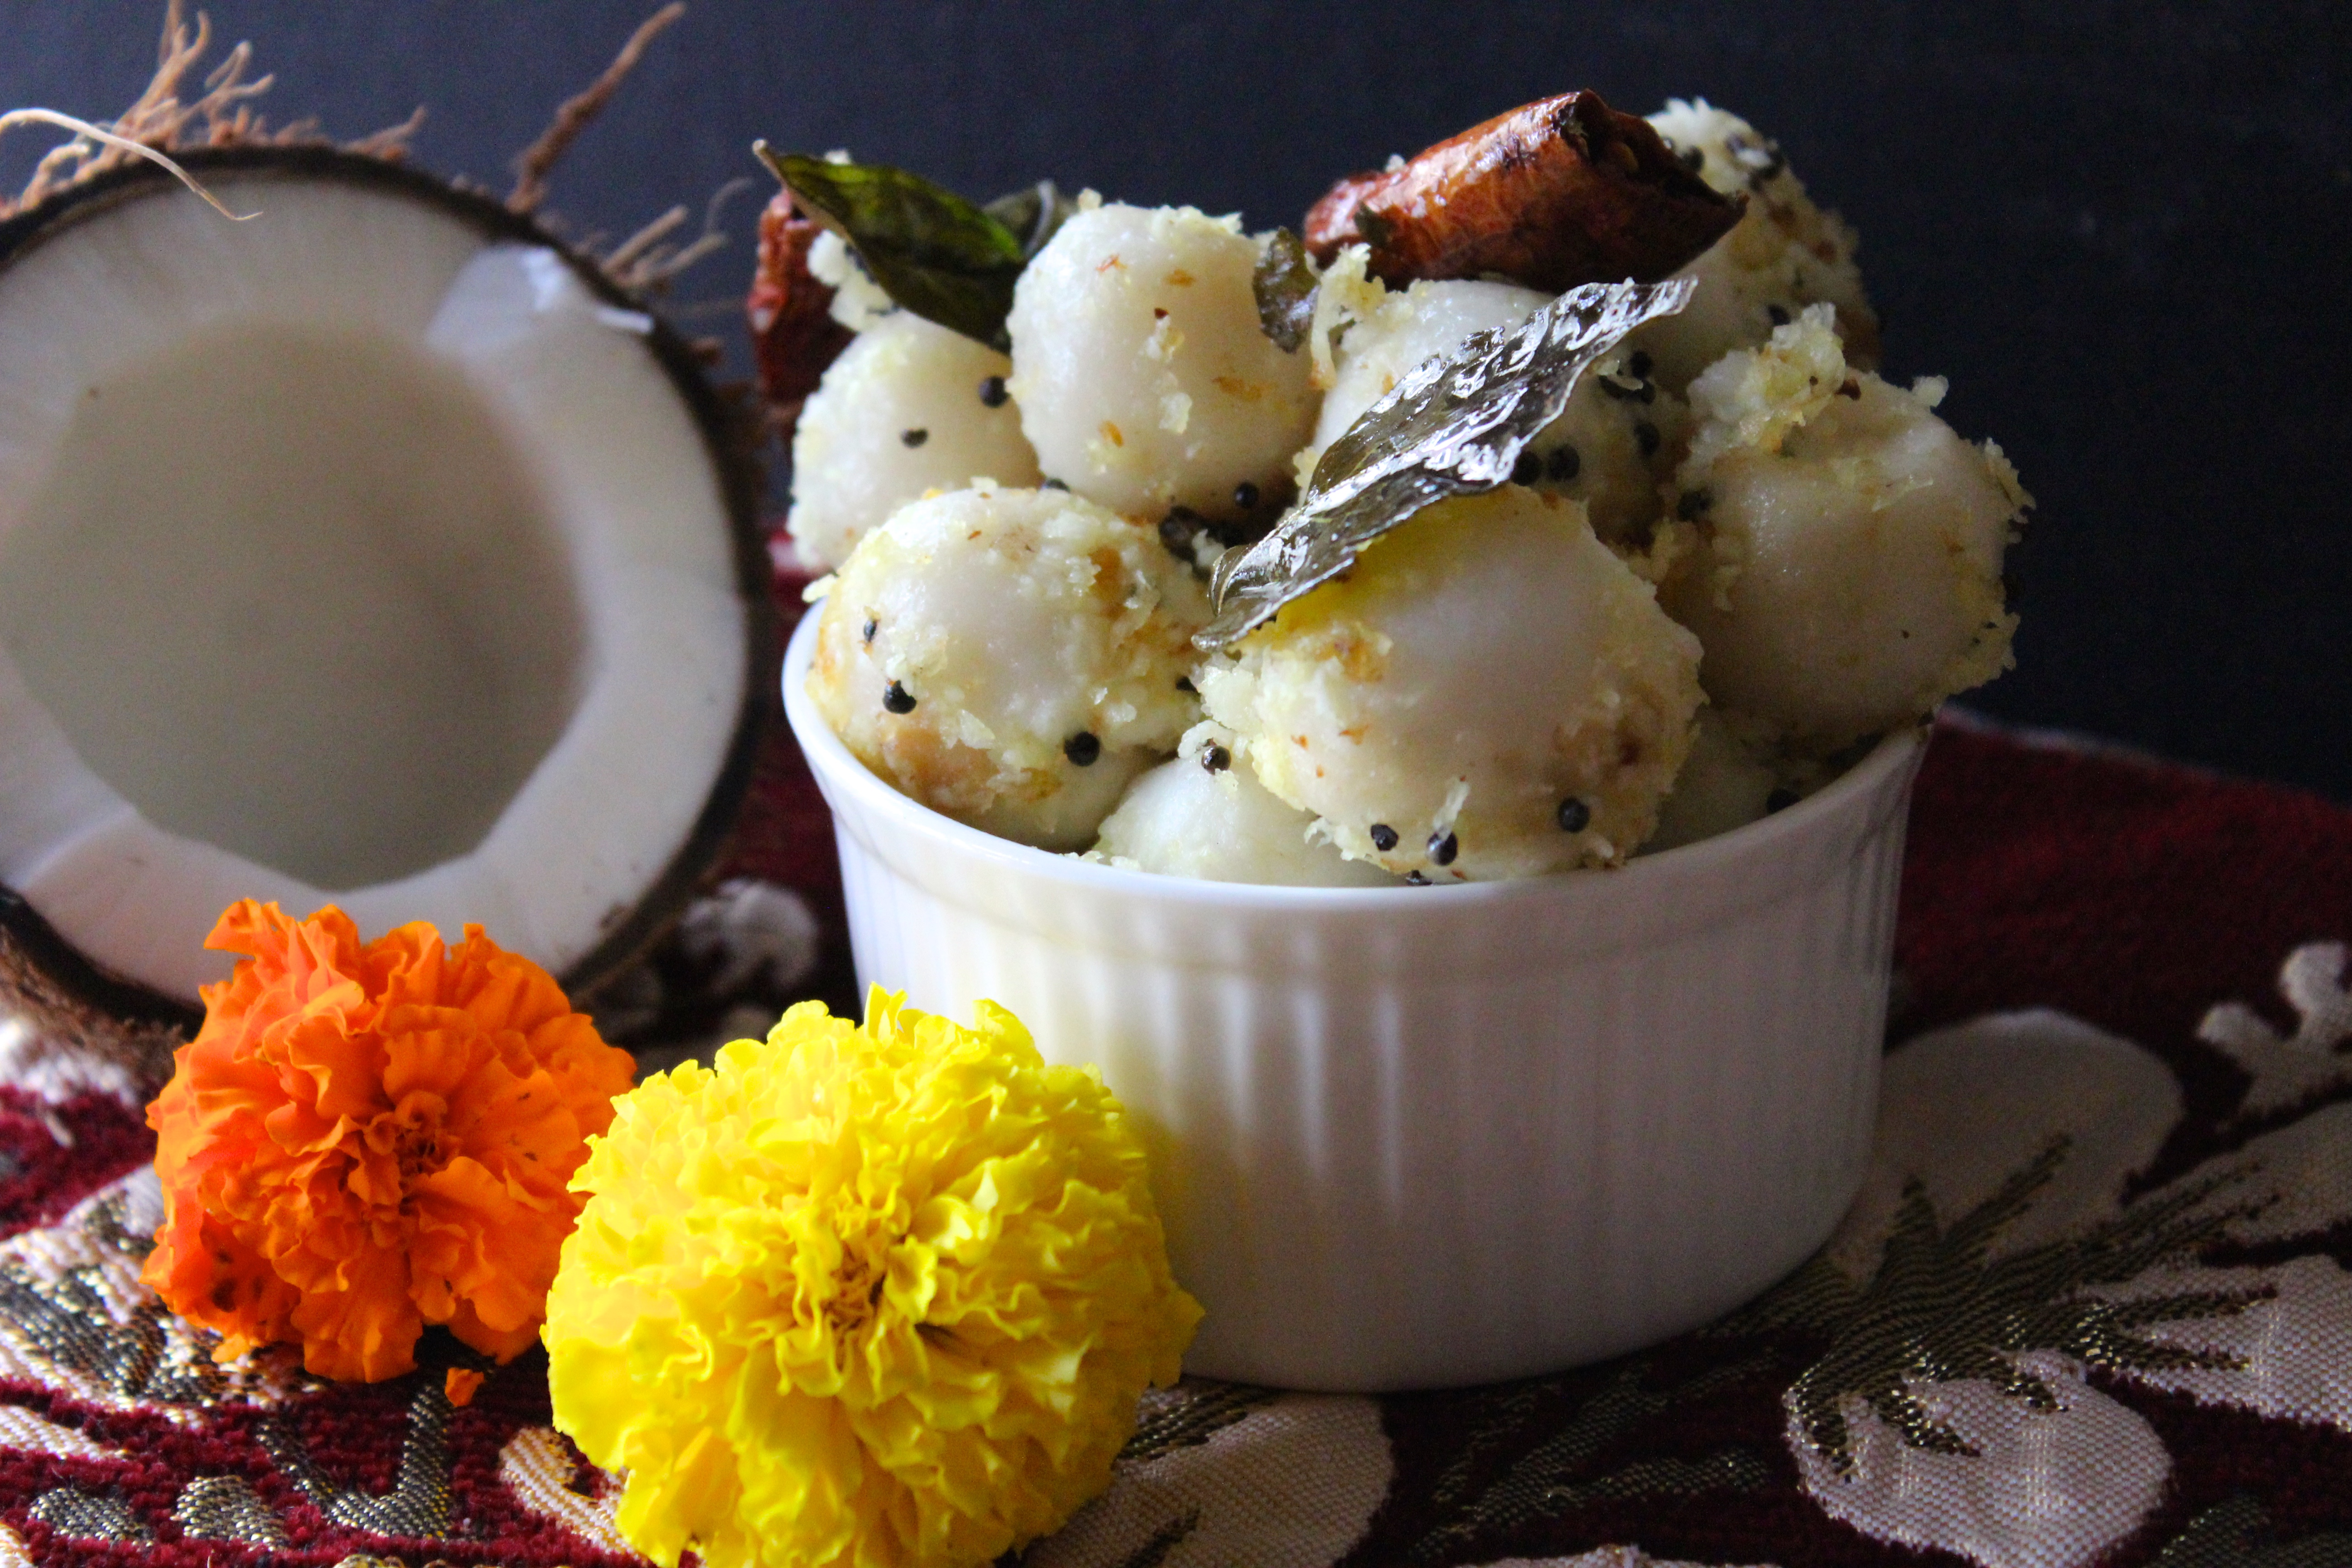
x,y
1730,568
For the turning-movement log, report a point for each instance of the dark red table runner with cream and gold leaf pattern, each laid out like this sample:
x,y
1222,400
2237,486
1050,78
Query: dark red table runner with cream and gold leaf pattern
x,y
2094,1304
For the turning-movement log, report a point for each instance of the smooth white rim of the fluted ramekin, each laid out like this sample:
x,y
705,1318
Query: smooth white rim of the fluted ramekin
x,y
836,768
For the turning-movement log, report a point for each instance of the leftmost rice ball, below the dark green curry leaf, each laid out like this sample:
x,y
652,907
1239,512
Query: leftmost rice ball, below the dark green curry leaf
x,y
904,410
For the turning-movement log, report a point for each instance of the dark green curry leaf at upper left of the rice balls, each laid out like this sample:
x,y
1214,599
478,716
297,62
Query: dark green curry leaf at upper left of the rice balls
x,y
930,250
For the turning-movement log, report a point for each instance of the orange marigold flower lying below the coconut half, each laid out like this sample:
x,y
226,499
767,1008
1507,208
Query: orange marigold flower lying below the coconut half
x,y
370,1139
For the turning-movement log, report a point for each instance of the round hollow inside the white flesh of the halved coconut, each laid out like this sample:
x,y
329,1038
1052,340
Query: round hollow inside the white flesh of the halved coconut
x,y
328,622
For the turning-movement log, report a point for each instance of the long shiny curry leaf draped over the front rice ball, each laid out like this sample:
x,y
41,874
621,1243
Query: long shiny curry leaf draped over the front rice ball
x,y
1450,429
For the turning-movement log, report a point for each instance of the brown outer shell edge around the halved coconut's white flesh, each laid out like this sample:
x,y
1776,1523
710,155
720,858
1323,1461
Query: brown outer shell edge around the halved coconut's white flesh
x,y
74,1000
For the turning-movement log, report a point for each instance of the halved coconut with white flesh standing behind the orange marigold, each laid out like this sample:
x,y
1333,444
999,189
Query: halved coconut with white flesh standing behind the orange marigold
x,y
373,551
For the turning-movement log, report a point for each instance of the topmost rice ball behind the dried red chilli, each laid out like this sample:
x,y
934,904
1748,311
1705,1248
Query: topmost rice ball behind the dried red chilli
x,y
1782,257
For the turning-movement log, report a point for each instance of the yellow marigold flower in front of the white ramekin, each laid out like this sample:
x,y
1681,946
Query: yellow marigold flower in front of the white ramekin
x,y
874,1296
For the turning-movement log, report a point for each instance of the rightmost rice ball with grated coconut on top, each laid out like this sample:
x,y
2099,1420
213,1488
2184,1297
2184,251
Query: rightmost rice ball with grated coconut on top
x,y
1850,563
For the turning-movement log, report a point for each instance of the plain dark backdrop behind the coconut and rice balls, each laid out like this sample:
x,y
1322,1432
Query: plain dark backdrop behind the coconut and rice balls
x,y
2125,232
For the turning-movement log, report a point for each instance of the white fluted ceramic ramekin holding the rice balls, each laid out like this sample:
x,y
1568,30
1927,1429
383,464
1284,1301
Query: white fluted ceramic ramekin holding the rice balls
x,y
1436,1137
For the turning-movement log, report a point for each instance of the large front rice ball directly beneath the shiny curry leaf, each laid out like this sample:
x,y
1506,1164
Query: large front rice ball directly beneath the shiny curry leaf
x,y
1490,692
